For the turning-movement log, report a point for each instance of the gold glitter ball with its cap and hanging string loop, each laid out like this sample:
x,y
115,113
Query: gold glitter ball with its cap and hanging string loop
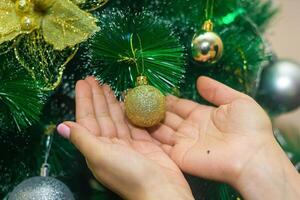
x,y
145,105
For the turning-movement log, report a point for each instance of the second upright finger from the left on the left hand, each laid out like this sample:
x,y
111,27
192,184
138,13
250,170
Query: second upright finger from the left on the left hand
x,y
103,117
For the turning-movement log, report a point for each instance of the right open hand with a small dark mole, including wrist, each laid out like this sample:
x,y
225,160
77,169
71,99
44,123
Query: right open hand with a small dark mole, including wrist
x,y
232,142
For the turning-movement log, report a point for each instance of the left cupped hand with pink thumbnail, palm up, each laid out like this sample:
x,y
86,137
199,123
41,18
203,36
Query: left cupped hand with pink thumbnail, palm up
x,y
124,158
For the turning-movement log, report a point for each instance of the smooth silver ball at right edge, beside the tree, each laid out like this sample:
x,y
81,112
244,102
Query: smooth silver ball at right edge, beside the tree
x,y
279,88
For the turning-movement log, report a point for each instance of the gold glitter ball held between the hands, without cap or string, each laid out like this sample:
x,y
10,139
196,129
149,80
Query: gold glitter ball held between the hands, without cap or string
x,y
145,106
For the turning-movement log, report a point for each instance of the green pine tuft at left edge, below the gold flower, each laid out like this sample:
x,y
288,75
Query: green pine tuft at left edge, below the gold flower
x,y
21,98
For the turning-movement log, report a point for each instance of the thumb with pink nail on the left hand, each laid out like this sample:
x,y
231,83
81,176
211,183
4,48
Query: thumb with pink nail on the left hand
x,y
84,141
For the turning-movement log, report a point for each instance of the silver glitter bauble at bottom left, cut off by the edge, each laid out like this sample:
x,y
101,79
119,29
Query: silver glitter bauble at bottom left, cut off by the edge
x,y
41,188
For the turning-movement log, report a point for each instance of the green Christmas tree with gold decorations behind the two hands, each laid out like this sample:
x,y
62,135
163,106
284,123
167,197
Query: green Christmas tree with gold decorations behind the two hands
x,y
47,45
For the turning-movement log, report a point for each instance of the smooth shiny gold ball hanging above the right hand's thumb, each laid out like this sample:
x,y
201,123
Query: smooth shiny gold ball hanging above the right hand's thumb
x,y
207,47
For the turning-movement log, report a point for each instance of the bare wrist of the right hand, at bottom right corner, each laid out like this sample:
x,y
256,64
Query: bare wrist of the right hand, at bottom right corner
x,y
269,175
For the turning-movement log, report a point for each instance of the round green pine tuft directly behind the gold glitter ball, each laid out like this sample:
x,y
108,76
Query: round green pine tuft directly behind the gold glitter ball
x,y
132,44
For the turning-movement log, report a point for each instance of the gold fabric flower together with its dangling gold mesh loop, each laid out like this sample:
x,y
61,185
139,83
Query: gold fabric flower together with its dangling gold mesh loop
x,y
44,34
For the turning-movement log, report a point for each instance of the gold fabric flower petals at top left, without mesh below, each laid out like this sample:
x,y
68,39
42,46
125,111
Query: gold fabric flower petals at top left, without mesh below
x,y
62,23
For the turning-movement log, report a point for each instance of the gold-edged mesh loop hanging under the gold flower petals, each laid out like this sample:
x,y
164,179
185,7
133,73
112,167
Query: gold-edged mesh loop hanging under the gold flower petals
x,y
43,63
